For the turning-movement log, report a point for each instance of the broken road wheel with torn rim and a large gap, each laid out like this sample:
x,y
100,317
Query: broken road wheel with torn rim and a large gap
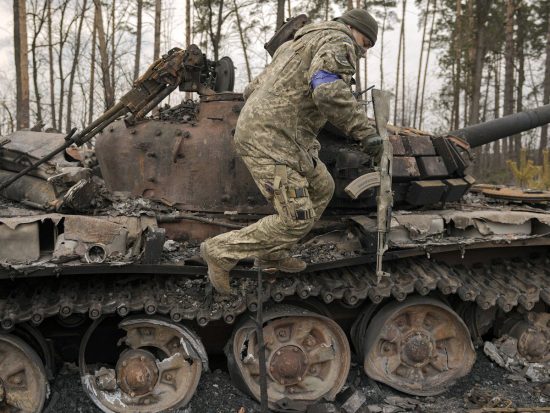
x,y
158,370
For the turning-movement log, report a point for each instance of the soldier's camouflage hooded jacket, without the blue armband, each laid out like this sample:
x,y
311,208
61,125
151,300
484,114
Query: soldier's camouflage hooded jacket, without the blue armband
x,y
283,114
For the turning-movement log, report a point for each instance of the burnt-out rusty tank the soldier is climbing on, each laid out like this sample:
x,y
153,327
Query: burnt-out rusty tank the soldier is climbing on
x,y
99,262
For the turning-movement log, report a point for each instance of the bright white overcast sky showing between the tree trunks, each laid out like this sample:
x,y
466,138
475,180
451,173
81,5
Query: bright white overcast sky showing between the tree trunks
x,y
174,34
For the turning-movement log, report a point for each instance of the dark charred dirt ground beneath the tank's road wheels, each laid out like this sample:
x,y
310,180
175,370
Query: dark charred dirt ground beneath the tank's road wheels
x,y
487,384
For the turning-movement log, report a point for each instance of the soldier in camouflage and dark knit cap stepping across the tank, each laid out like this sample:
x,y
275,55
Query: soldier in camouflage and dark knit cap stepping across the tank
x,y
306,85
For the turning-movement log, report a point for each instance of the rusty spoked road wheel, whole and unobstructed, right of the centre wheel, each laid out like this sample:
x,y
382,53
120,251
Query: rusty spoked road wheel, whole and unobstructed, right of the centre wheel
x,y
419,346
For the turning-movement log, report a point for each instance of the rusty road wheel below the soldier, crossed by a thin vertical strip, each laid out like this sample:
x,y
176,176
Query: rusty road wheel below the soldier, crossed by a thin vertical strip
x,y
307,357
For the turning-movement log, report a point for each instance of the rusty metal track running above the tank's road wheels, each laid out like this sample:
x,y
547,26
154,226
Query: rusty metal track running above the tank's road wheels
x,y
506,284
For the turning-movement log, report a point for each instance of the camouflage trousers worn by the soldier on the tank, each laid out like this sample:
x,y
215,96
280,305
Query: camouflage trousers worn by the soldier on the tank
x,y
299,201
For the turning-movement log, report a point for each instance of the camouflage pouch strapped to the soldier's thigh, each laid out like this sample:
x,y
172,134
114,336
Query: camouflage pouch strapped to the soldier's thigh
x,y
289,199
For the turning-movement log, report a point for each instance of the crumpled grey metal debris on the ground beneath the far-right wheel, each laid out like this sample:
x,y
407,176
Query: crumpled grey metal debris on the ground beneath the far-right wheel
x,y
503,351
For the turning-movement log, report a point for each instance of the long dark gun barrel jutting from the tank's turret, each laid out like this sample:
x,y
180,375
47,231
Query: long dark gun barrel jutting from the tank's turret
x,y
487,132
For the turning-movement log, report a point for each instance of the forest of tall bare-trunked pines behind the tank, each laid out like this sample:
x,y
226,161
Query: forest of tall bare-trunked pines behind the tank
x,y
469,61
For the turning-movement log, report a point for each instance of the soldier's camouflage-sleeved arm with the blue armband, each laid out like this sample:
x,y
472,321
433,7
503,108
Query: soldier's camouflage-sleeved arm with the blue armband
x,y
330,75
